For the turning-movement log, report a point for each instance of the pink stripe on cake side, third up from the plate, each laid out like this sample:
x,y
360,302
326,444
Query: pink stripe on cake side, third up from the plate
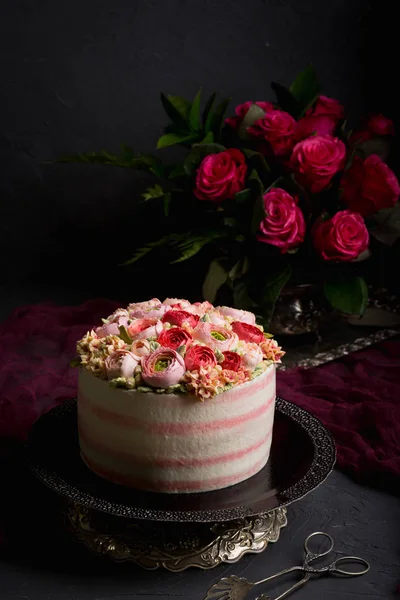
x,y
184,429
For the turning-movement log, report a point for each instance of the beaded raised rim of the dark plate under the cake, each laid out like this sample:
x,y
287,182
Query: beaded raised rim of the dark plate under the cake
x,y
321,466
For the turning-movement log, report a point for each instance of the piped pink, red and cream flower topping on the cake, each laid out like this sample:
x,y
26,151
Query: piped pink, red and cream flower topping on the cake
x,y
175,346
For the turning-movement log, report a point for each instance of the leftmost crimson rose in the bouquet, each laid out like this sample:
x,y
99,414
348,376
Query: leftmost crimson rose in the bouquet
x,y
221,176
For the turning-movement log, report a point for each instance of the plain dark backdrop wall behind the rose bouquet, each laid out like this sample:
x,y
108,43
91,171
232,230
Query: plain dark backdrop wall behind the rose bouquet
x,y
85,75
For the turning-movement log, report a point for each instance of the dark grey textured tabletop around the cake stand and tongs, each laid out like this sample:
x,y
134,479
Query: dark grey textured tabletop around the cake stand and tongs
x,y
363,521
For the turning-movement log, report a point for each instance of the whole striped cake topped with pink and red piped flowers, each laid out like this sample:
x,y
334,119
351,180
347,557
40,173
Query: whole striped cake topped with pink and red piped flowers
x,y
176,397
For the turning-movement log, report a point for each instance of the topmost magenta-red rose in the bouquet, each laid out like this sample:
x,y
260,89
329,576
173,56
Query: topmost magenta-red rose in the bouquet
x,y
321,119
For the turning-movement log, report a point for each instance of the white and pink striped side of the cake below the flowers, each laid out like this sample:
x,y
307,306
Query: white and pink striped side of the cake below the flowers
x,y
167,443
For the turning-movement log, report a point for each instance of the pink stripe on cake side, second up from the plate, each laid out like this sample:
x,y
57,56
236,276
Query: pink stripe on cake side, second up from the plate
x,y
97,445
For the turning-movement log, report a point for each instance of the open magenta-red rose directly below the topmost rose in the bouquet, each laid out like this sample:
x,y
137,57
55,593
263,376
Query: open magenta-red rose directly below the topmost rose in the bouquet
x,y
316,160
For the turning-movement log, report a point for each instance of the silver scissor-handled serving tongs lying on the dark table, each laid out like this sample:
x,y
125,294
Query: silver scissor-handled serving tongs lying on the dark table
x,y
235,588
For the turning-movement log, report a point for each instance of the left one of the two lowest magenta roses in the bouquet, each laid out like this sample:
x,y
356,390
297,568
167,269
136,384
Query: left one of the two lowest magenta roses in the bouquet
x,y
284,225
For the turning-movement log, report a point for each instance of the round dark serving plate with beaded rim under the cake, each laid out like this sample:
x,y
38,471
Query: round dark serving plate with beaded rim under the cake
x,y
302,456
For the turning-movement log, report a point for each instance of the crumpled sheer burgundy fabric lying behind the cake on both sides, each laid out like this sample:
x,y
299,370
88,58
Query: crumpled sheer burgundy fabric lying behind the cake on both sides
x,y
357,398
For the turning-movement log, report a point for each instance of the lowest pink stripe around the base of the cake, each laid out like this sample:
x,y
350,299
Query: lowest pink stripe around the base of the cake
x,y
172,486
